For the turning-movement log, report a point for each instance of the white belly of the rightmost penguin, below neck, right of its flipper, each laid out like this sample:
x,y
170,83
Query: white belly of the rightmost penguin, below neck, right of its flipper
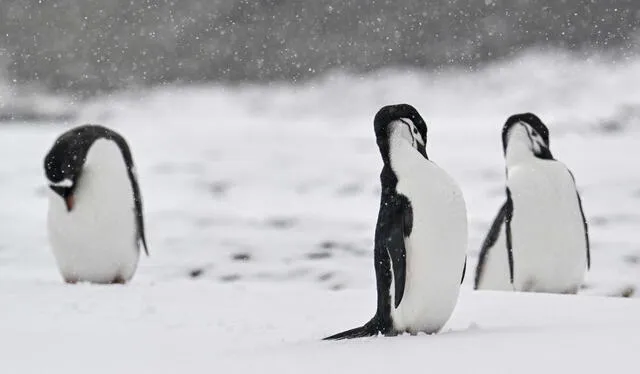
x,y
549,247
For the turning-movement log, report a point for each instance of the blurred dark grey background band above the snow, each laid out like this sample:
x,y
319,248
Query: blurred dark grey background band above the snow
x,y
93,46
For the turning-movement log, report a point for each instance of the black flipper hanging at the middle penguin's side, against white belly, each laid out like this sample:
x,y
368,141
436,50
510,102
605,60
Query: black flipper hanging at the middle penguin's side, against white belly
x,y
399,217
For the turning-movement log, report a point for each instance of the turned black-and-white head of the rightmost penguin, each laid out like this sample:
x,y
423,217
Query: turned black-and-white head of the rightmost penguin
x,y
527,130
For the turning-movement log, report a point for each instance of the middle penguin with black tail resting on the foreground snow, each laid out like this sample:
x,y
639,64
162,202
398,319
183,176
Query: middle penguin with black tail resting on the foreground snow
x,y
420,236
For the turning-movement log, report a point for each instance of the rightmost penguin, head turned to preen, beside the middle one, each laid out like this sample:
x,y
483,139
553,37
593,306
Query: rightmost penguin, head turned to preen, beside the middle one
x,y
539,240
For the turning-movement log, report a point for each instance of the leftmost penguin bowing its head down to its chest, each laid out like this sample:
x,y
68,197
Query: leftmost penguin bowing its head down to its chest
x,y
95,220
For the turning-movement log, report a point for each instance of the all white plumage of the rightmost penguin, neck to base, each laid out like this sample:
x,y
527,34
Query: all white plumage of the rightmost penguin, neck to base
x,y
548,234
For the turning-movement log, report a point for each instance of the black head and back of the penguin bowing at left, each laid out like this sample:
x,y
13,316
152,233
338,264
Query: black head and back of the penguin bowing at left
x,y
66,160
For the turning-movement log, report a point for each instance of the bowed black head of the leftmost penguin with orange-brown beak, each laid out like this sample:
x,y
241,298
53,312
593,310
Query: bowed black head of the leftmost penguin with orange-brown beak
x,y
64,163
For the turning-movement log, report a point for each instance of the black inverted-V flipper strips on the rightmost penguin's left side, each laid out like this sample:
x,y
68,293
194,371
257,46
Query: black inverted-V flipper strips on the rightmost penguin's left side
x,y
503,217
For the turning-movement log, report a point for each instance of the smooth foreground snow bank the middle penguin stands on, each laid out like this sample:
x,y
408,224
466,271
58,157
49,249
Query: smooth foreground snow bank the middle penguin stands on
x,y
183,326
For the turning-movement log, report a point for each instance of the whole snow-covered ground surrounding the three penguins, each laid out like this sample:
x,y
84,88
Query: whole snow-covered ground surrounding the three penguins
x,y
260,202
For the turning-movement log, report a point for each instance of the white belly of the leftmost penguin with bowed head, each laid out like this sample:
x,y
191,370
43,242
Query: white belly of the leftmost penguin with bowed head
x,y
96,241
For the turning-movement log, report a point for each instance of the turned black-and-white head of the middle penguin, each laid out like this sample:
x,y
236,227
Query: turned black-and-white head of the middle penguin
x,y
400,121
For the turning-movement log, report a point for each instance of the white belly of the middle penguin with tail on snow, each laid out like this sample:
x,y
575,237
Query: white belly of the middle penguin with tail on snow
x,y
436,247
